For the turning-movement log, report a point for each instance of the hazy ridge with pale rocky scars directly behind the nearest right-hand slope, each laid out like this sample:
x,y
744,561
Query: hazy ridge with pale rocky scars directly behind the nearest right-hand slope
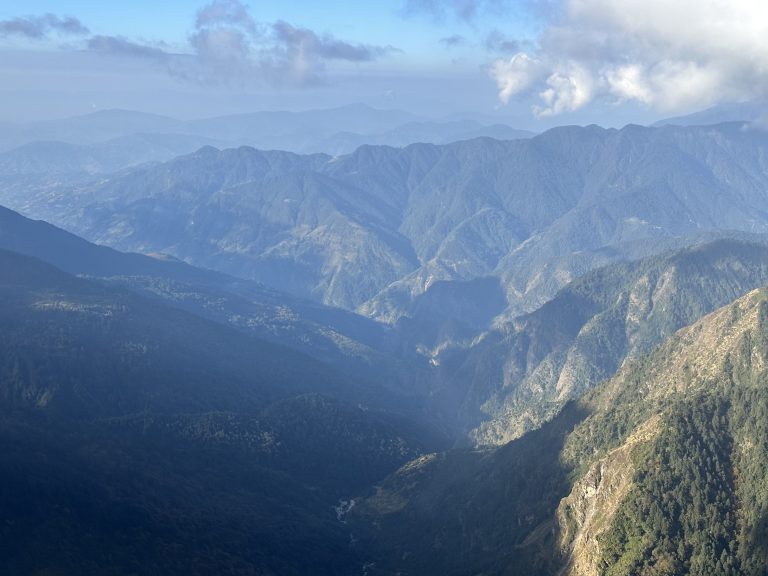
x,y
522,373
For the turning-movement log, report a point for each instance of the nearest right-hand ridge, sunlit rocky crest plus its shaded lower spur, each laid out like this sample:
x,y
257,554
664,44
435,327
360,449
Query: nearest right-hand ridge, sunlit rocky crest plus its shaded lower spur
x,y
660,470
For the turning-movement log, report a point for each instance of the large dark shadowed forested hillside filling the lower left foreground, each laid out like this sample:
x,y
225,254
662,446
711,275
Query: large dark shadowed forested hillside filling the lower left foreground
x,y
141,438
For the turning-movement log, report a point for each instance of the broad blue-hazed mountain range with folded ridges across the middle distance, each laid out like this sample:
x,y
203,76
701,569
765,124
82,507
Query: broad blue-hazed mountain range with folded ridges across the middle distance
x,y
375,231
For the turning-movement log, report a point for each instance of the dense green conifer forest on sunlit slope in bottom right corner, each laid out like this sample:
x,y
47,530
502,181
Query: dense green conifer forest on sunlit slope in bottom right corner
x,y
700,495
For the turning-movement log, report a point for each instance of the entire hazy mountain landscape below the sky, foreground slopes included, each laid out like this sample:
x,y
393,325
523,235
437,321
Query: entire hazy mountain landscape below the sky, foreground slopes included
x,y
527,355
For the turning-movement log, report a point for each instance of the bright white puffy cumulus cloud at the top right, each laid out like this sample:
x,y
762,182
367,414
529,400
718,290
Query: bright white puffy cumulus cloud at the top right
x,y
666,55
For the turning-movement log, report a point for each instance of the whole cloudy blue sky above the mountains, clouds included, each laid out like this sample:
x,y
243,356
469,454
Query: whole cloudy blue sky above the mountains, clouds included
x,y
531,63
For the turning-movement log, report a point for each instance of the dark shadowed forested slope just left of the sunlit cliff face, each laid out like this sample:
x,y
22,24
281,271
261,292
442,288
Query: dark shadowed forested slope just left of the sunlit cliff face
x,y
470,512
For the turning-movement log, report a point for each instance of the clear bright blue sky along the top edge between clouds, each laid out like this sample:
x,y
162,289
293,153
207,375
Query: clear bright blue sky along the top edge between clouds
x,y
382,22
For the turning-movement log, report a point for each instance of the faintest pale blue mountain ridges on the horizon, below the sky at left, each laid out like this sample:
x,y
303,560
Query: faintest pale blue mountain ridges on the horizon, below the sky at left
x,y
109,140
